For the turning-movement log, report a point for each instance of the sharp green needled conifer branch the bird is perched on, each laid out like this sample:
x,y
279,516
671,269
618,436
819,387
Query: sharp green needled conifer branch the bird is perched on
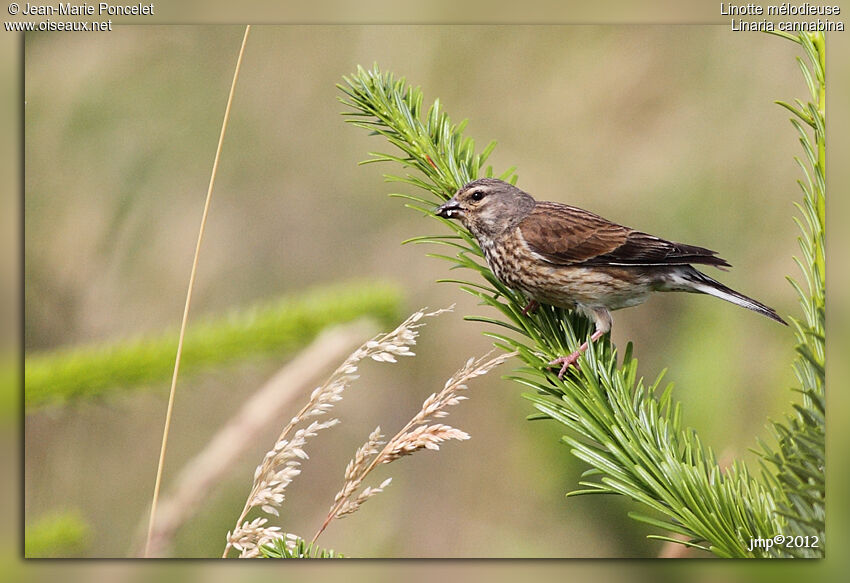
x,y
628,432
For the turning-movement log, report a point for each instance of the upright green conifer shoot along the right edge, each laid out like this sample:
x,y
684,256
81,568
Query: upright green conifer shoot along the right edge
x,y
800,459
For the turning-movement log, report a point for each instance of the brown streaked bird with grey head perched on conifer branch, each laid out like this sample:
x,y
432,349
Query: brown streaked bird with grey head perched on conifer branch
x,y
565,256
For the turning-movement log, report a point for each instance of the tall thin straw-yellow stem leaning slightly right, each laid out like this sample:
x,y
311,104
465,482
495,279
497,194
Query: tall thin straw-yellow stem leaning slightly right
x,y
189,296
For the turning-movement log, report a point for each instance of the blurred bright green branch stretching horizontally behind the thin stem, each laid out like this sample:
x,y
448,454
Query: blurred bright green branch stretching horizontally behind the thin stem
x,y
277,327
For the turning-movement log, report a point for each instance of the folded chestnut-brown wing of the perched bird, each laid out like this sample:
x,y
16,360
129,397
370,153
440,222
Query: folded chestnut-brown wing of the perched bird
x,y
567,235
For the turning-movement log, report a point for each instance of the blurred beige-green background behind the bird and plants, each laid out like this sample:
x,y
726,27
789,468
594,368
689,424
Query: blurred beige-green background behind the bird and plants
x,y
671,130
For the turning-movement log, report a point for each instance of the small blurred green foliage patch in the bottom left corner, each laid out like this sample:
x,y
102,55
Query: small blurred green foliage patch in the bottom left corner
x,y
60,535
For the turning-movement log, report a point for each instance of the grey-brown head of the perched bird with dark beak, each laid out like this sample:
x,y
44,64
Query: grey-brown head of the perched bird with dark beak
x,y
487,206
